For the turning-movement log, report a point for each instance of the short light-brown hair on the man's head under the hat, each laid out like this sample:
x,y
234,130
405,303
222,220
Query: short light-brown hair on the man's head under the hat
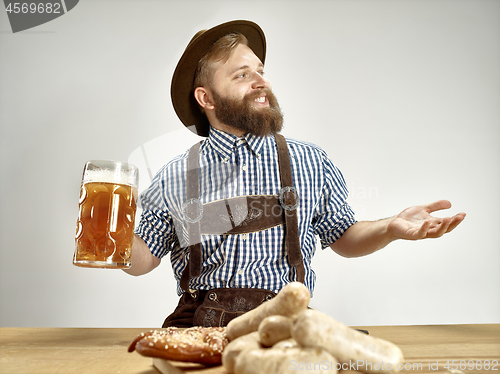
x,y
219,51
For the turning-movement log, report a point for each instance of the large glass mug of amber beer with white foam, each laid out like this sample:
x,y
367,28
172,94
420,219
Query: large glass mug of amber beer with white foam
x,y
105,226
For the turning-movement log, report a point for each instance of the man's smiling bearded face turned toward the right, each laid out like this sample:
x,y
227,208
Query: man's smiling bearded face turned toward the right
x,y
242,96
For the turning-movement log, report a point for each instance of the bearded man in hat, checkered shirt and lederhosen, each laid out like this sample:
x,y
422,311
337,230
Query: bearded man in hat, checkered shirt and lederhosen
x,y
240,212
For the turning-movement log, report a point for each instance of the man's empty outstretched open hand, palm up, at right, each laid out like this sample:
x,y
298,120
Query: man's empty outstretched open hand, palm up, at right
x,y
417,223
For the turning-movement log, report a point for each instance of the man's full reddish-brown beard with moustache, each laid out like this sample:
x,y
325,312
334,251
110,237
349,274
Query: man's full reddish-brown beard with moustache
x,y
242,114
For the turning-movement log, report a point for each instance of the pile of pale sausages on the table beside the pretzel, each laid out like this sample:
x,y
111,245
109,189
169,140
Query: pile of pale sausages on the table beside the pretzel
x,y
283,336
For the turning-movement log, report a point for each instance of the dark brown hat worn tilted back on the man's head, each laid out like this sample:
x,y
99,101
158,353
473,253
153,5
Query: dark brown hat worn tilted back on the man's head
x,y
181,90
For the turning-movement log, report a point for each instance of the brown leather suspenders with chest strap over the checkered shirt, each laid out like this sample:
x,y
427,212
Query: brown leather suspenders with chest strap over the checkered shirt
x,y
226,216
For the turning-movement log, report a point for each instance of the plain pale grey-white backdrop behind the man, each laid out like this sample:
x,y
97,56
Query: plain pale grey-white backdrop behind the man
x,y
403,95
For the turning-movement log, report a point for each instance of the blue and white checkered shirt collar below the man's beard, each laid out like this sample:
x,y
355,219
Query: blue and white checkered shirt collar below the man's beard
x,y
225,144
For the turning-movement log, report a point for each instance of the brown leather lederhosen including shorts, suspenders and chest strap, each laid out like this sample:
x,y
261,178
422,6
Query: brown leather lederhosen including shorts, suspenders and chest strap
x,y
218,306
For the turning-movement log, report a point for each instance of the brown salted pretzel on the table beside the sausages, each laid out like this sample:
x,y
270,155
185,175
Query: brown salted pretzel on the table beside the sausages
x,y
198,344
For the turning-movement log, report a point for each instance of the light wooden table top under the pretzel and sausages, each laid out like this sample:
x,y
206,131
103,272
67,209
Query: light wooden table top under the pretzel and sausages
x,y
85,350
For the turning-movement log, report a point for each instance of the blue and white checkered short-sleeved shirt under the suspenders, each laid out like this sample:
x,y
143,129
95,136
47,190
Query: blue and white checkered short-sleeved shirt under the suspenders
x,y
232,166
